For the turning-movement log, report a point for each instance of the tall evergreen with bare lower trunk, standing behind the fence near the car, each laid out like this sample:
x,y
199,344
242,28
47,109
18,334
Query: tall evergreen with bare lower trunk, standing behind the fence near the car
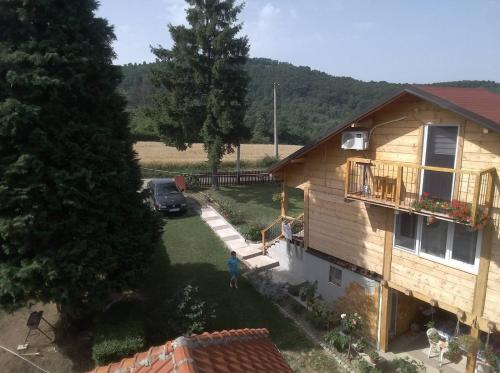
x,y
202,81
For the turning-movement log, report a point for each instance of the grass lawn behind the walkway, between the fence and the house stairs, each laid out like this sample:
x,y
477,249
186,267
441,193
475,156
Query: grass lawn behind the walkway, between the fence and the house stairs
x,y
256,201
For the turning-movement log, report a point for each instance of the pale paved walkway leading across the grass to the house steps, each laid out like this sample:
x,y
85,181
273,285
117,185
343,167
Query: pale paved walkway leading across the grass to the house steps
x,y
249,253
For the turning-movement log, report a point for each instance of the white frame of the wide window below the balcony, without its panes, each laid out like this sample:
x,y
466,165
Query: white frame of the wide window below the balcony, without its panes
x,y
447,260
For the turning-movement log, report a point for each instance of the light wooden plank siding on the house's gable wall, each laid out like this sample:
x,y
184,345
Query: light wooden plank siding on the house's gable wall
x,y
355,231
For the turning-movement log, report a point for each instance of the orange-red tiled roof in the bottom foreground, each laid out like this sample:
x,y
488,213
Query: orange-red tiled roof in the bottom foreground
x,y
231,351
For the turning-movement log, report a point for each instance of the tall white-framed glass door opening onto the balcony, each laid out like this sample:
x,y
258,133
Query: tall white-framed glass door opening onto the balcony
x,y
439,151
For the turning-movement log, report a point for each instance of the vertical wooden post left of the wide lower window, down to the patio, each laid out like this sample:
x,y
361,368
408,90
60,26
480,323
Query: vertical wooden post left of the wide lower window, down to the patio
x,y
385,312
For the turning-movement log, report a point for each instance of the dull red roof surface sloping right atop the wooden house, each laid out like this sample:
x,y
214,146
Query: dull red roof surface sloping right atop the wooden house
x,y
476,100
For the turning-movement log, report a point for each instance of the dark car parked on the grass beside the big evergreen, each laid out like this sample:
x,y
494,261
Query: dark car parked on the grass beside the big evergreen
x,y
165,196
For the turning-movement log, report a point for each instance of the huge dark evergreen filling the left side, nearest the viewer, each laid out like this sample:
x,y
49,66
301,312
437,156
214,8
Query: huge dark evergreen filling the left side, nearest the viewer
x,y
73,227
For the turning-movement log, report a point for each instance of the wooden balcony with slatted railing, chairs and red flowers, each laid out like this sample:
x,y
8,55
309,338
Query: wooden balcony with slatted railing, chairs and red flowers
x,y
445,193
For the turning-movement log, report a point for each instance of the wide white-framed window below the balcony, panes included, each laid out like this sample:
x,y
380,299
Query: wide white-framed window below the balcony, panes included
x,y
448,243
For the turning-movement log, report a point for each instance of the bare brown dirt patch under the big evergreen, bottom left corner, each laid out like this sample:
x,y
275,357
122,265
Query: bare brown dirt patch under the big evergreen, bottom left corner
x,y
68,354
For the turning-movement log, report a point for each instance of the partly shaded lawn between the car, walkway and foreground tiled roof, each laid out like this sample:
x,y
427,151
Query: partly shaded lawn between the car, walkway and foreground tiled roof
x,y
196,255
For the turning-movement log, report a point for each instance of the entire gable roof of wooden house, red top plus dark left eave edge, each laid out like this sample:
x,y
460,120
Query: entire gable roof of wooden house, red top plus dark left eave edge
x,y
476,104
